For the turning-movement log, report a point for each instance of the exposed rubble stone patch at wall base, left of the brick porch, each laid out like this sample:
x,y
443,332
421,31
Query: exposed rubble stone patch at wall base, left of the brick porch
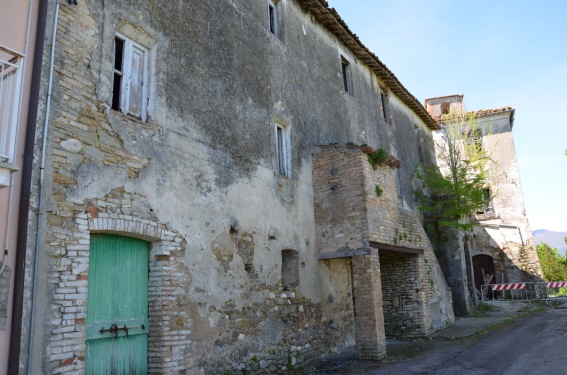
x,y
278,334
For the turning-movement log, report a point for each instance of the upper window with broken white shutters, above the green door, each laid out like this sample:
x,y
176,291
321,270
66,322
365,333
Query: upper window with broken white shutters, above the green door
x,y
131,77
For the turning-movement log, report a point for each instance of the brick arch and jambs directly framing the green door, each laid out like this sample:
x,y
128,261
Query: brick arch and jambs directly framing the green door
x,y
166,253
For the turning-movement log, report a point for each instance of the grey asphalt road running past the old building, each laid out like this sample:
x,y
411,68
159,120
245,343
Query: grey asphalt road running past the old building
x,y
532,345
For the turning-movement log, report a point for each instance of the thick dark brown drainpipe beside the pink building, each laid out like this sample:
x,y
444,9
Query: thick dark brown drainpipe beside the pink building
x,y
23,214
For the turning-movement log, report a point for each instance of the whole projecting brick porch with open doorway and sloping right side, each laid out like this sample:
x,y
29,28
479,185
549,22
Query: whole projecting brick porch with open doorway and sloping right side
x,y
351,216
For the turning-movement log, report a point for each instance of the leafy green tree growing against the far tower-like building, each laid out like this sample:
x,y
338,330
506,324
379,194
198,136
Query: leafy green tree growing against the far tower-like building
x,y
456,188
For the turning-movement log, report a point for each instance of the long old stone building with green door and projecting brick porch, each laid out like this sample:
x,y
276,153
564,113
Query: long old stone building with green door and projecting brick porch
x,y
206,206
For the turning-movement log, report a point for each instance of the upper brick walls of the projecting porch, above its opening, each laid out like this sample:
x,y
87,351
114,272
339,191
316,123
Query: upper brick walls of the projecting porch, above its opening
x,y
348,211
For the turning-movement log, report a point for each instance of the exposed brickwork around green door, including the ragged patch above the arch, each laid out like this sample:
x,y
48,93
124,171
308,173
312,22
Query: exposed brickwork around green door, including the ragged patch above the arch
x,y
111,214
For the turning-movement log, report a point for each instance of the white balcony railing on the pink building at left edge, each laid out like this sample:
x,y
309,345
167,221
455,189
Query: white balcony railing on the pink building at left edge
x,y
11,68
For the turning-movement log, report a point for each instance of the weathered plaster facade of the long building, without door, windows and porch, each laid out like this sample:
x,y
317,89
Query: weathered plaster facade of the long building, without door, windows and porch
x,y
203,169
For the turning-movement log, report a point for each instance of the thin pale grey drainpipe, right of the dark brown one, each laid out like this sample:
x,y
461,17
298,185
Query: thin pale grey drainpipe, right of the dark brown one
x,y
39,215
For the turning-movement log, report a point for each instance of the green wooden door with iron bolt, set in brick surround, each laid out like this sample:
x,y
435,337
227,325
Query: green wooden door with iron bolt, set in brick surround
x,y
117,306
